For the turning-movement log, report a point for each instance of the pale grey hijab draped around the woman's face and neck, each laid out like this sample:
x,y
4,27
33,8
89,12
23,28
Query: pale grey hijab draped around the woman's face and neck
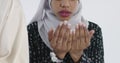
x,y
46,19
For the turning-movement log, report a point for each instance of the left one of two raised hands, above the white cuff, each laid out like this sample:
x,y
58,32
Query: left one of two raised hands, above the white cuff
x,y
59,40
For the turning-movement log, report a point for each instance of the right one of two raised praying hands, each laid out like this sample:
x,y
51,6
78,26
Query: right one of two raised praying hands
x,y
80,41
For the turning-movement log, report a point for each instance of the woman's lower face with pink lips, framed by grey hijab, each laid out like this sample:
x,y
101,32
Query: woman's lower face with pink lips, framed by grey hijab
x,y
64,9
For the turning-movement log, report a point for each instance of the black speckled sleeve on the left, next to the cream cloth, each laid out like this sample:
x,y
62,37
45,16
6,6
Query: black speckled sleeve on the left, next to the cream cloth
x,y
38,51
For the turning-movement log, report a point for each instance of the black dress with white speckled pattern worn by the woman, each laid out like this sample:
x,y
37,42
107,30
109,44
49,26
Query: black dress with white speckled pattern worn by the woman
x,y
40,53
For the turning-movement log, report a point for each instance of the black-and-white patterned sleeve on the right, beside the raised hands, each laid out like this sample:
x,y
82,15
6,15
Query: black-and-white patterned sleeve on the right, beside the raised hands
x,y
94,53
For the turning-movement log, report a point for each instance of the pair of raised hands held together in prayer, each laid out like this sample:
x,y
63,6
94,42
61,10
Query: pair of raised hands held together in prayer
x,y
63,40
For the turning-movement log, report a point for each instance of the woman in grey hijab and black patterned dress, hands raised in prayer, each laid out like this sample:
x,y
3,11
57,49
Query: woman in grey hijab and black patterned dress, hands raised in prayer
x,y
58,33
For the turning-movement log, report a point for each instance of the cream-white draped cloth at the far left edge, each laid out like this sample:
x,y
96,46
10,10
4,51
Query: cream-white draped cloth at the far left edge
x,y
13,33
